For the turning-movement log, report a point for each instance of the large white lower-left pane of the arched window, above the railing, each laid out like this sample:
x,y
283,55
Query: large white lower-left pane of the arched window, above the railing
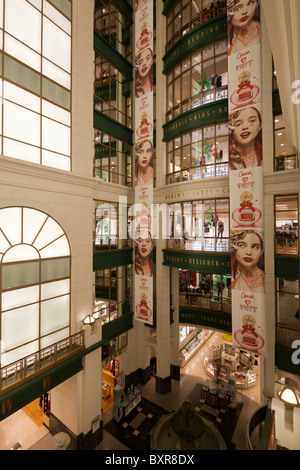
x,y
20,326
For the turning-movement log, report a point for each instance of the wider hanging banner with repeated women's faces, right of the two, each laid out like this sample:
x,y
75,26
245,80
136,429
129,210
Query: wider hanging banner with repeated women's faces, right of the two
x,y
246,176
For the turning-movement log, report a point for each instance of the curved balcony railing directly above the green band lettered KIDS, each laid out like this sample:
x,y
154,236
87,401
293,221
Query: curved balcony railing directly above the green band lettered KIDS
x,y
204,97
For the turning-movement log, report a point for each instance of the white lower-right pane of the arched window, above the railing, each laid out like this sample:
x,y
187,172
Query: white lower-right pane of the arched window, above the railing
x,y
54,314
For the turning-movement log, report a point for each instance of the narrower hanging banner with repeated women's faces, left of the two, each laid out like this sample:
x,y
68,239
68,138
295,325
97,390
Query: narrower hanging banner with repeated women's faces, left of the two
x,y
144,61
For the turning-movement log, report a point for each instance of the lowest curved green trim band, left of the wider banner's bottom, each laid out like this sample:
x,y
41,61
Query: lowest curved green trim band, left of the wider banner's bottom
x,y
207,318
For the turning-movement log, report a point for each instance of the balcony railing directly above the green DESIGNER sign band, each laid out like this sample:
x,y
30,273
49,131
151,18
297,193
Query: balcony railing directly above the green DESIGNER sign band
x,y
210,244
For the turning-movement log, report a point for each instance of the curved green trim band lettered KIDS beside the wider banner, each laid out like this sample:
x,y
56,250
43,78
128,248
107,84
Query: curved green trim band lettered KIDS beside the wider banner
x,y
195,118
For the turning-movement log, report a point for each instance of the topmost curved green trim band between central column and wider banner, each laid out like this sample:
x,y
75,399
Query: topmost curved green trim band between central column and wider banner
x,y
206,33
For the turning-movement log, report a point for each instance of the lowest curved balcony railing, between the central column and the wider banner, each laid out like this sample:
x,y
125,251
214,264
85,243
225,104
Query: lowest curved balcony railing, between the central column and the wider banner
x,y
205,302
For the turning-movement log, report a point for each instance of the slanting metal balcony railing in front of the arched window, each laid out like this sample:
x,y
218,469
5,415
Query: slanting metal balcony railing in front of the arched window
x,y
36,362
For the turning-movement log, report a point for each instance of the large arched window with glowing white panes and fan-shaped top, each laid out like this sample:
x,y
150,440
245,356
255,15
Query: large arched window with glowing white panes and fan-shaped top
x,y
35,282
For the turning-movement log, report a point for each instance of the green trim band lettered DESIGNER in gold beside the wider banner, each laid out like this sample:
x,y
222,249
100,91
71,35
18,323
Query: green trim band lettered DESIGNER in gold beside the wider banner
x,y
195,261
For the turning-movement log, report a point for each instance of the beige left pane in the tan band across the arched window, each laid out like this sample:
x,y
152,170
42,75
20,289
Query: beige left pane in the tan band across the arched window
x,y
21,274
